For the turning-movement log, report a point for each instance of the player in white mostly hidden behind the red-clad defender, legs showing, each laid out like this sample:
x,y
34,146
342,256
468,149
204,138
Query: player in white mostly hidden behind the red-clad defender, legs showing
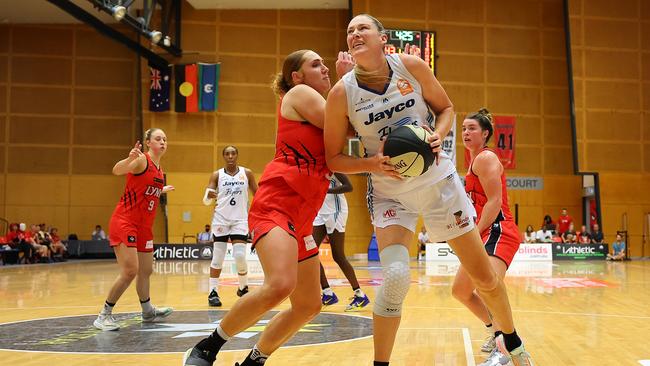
x,y
330,221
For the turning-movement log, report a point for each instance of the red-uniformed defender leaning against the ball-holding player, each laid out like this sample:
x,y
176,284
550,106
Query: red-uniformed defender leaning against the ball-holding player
x,y
291,190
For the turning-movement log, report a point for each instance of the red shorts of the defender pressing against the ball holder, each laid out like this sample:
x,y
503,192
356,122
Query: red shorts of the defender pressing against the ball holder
x,y
276,204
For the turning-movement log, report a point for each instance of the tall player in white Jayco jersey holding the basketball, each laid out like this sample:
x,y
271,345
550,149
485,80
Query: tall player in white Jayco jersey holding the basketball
x,y
384,92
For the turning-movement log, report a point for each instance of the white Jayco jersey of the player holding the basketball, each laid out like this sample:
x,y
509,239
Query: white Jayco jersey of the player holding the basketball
x,y
373,115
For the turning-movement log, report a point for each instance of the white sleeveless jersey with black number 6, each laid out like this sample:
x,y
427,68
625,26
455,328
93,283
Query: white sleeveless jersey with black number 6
x,y
232,197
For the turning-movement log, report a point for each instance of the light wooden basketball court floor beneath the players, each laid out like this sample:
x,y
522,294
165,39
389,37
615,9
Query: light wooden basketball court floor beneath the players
x,y
569,313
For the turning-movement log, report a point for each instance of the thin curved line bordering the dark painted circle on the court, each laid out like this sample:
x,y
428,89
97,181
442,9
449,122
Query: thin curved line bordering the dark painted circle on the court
x,y
166,353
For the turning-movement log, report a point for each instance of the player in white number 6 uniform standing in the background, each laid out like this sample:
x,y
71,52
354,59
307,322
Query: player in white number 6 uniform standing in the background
x,y
230,186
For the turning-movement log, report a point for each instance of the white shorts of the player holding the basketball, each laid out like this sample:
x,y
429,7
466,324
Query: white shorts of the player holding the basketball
x,y
444,206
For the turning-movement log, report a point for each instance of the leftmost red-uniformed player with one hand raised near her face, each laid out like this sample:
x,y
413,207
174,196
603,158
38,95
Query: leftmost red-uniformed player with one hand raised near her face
x,y
130,232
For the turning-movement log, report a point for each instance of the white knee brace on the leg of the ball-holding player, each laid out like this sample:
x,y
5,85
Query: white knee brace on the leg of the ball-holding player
x,y
395,268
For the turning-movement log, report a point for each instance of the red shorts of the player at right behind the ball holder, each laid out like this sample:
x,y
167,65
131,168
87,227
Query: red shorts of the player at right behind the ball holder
x,y
502,240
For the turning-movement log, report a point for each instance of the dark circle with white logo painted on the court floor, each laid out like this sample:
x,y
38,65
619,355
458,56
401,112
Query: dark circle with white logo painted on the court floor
x,y
176,333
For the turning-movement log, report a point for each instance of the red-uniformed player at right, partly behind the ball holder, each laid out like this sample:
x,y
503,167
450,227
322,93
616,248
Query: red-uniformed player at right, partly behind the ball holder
x,y
485,184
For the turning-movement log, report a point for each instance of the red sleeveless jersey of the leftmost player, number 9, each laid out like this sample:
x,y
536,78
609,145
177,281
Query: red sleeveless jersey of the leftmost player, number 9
x,y
141,195
